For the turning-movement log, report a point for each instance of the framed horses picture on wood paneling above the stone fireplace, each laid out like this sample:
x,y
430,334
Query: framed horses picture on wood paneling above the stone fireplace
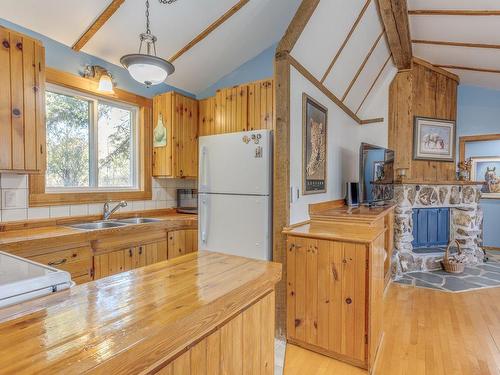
x,y
433,139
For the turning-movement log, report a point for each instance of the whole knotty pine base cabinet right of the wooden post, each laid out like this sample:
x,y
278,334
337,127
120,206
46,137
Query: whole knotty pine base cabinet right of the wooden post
x,y
334,297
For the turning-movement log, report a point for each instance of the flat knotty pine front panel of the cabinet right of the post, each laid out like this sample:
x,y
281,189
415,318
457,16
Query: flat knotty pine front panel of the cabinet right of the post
x,y
326,295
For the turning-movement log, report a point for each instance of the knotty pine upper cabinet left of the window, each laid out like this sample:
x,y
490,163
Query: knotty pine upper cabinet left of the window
x,y
22,103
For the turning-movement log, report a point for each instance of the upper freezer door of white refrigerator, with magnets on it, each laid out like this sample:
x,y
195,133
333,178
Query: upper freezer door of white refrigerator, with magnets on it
x,y
236,163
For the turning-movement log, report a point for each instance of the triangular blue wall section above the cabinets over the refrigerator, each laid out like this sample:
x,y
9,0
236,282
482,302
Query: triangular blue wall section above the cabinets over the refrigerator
x,y
260,67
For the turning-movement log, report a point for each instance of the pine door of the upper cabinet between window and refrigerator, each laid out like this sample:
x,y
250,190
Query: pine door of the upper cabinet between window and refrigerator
x,y
185,137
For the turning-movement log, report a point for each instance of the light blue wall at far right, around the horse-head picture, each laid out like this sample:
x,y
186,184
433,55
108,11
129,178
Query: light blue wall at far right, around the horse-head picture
x,y
479,113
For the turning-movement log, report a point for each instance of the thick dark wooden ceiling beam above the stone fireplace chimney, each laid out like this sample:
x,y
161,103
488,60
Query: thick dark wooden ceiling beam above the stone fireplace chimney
x,y
394,15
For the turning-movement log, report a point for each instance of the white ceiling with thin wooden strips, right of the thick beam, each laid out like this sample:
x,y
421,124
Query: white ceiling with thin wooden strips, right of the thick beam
x,y
462,29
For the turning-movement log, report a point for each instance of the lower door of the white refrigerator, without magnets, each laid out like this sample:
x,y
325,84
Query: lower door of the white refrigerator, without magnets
x,y
235,224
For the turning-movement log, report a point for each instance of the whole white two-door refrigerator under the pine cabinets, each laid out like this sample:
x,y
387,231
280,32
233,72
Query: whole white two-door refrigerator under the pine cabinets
x,y
234,193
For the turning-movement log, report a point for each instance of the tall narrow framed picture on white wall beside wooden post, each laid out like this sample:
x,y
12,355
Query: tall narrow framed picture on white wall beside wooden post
x,y
314,132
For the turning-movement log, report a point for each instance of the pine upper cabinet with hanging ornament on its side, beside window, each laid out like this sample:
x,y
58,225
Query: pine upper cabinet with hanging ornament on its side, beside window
x,y
175,133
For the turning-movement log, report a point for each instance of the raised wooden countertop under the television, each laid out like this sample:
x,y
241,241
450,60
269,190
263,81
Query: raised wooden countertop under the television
x,y
362,214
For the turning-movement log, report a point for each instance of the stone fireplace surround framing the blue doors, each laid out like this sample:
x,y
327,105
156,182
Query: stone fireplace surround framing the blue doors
x,y
465,223
